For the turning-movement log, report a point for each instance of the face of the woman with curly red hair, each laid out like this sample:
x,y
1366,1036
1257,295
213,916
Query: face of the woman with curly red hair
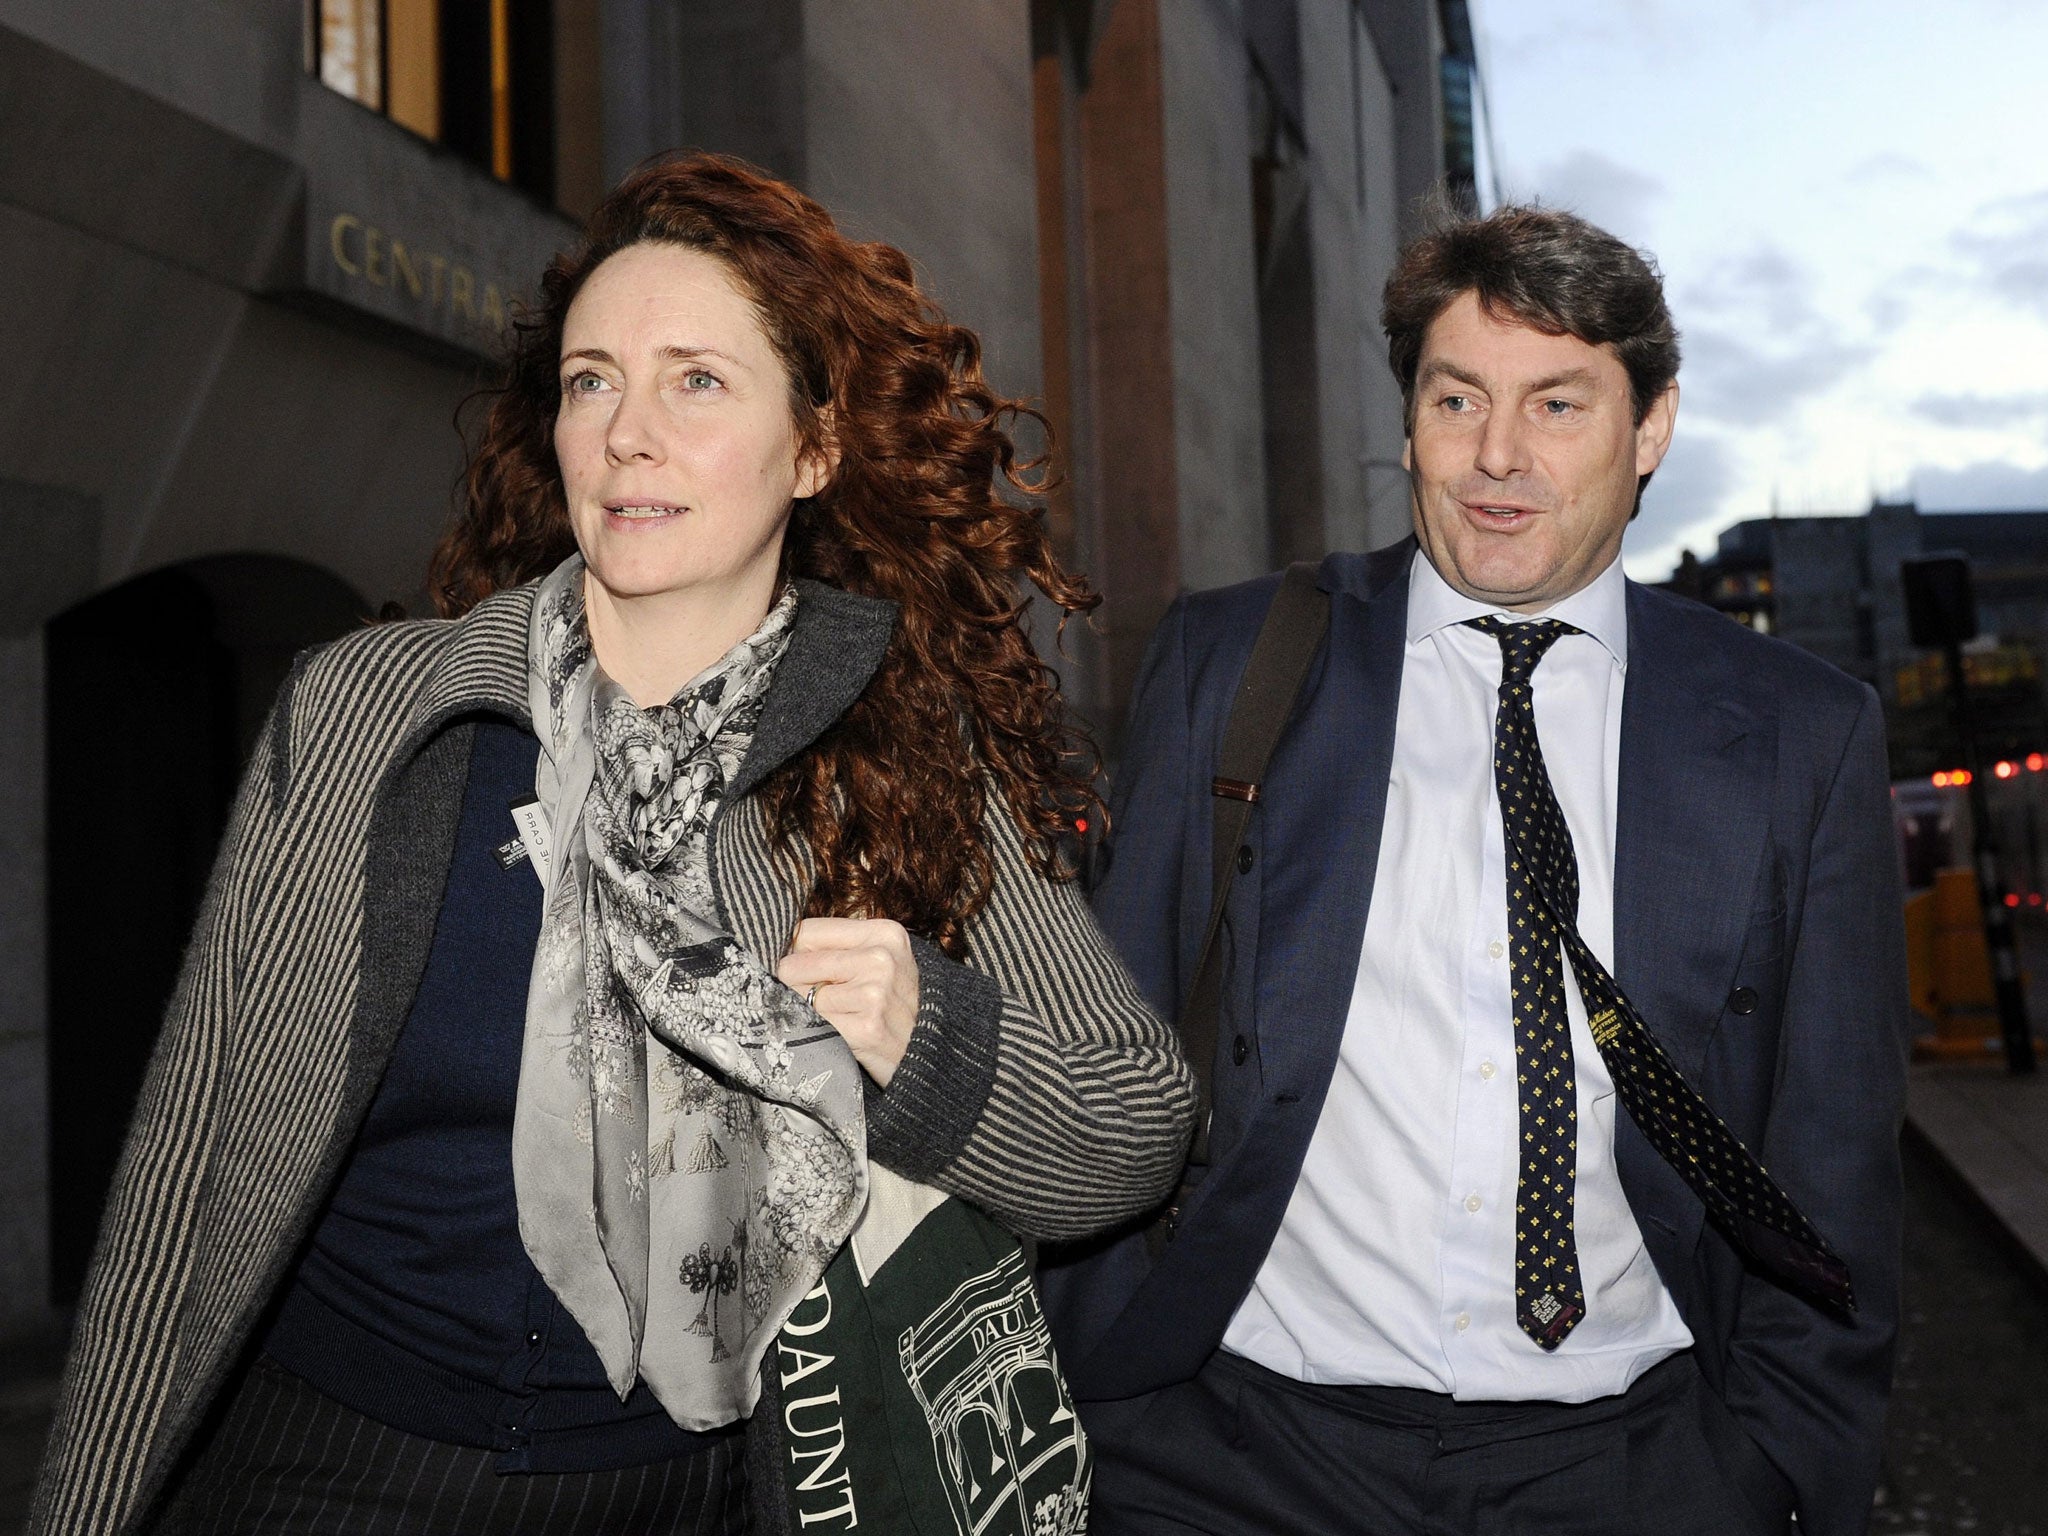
x,y
677,443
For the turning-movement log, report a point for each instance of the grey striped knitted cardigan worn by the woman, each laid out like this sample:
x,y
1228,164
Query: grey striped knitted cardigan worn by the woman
x,y
1037,1082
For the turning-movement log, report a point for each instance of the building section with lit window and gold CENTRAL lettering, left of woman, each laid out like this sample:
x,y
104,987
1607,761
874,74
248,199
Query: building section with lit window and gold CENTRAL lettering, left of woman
x,y
251,257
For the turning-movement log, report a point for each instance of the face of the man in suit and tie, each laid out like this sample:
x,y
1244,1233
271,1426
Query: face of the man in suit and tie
x,y
1525,458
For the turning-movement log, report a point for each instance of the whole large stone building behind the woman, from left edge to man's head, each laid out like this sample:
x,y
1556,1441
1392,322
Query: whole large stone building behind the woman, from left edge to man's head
x,y
255,257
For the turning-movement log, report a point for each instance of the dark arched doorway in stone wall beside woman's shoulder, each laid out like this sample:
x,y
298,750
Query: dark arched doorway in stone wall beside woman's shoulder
x,y
157,691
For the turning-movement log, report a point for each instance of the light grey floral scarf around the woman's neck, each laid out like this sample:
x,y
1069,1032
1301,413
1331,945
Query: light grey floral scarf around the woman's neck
x,y
689,1146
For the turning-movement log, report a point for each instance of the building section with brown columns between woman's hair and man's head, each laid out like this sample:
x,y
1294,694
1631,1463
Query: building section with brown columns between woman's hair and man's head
x,y
1222,194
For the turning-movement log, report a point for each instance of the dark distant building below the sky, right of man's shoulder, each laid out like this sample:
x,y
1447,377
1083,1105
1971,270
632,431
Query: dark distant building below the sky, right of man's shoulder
x,y
1832,587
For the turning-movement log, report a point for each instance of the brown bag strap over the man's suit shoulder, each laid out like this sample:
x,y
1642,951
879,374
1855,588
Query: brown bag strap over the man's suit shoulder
x,y
1281,656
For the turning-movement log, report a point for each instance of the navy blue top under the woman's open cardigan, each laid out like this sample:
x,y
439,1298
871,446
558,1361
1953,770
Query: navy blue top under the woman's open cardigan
x,y
417,1304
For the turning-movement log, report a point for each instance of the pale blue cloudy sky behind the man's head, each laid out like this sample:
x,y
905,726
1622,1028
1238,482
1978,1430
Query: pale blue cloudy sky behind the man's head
x,y
1850,206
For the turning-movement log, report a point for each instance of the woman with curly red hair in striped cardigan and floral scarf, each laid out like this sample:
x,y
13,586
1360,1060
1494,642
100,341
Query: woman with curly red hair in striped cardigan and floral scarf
x,y
587,968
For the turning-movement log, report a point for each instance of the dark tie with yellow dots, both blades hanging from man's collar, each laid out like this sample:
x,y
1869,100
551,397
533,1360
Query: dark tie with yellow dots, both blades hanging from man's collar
x,y
1543,914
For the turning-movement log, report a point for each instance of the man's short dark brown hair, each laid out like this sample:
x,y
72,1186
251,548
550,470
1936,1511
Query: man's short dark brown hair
x,y
1545,269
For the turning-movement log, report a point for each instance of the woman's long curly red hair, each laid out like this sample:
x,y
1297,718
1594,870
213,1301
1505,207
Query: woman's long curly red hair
x,y
892,800
